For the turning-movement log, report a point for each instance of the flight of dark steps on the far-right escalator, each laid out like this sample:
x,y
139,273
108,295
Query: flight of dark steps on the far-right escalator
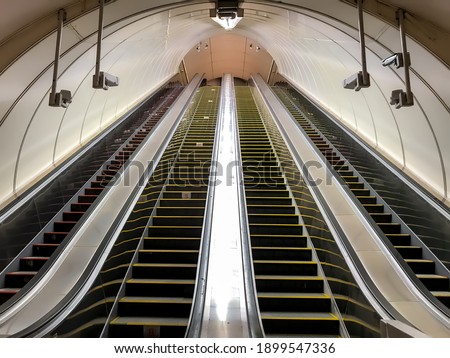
x,y
424,269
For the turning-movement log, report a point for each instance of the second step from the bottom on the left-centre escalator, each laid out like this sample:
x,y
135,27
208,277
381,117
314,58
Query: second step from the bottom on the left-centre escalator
x,y
136,306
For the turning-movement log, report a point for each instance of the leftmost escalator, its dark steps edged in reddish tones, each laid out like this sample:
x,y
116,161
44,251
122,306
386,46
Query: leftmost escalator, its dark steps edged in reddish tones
x,y
35,256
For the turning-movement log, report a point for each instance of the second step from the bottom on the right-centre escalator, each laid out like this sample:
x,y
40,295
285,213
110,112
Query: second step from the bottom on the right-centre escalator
x,y
306,302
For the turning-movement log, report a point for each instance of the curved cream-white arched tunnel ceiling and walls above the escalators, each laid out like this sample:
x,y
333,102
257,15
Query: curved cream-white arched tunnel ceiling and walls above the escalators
x,y
314,45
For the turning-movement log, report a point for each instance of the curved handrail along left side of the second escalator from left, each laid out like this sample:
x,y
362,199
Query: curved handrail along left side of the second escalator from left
x,y
54,317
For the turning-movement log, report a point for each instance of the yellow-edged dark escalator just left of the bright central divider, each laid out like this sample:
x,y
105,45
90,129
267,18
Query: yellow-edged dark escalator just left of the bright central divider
x,y
158,295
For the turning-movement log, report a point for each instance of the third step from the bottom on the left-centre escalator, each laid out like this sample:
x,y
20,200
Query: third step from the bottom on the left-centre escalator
x,y
165,288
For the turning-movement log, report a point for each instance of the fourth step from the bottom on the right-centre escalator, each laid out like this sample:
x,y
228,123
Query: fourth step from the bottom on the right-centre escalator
x,y
273,267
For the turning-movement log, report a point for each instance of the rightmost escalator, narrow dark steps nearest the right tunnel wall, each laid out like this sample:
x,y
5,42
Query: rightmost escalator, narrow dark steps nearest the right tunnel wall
x,y
403,242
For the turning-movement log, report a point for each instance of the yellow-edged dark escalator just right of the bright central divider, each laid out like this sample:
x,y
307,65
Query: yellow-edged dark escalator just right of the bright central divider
x,y
290,289
